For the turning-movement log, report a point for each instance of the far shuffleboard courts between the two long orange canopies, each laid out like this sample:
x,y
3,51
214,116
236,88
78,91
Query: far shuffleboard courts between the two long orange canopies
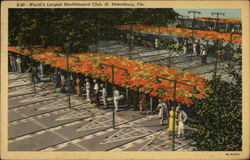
x,y
168,58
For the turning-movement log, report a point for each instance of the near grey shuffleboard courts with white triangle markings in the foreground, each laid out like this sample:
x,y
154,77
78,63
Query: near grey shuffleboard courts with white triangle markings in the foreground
x,y
43,121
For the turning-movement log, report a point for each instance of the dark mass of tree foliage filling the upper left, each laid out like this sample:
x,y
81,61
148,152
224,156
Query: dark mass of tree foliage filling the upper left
x,y
72,29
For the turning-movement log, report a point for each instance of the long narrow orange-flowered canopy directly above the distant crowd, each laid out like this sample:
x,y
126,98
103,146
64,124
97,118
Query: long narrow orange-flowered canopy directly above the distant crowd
x,y
212,35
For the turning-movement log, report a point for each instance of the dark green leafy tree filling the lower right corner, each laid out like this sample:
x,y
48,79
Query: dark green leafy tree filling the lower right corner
x,y
218,118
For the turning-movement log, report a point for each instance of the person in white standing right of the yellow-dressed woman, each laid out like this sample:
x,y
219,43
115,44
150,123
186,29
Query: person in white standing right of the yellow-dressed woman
x,y
182,118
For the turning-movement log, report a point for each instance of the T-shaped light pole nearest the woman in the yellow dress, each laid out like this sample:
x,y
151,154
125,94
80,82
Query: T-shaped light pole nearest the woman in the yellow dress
x,y
174,100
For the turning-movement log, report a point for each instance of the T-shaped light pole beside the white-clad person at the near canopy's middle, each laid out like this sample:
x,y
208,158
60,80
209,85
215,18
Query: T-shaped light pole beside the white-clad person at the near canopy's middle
x,y
112,67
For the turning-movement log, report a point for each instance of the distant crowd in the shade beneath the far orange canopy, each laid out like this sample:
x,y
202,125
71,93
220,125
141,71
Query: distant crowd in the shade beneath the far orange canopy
x,y
184,46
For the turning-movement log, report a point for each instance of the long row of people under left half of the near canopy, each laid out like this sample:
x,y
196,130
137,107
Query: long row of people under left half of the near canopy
x,y
64,81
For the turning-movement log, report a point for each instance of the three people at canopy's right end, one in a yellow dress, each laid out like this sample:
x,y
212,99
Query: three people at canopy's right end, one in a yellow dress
x,y
166,112
